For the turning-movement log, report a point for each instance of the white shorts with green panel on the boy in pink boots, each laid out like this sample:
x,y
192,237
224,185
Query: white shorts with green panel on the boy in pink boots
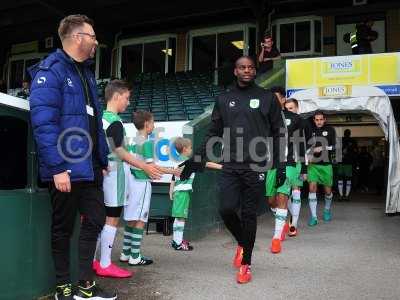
x,y
116,189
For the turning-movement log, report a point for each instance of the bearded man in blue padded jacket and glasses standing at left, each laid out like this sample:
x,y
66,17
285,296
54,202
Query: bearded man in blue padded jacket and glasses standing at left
x,y
67,124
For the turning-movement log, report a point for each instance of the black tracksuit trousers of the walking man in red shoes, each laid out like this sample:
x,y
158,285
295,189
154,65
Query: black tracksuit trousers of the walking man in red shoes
x,y
240,191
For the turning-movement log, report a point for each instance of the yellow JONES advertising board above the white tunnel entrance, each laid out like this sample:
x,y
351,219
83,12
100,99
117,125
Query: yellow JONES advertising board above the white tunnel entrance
x,y
335,76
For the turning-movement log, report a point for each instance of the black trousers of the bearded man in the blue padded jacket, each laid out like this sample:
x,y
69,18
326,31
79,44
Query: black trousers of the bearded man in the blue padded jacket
x,y
88,199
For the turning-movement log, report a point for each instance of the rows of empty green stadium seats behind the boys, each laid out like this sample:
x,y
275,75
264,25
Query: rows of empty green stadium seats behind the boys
x,y
170,97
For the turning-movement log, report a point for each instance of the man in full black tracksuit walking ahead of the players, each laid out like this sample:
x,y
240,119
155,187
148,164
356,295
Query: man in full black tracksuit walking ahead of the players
x,y
250,113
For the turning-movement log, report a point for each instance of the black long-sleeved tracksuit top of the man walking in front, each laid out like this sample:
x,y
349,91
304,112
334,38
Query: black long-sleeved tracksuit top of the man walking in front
x,y
250,113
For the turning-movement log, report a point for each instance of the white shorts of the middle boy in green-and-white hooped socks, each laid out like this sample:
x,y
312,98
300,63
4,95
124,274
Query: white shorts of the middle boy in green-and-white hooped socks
x,y
139,200
